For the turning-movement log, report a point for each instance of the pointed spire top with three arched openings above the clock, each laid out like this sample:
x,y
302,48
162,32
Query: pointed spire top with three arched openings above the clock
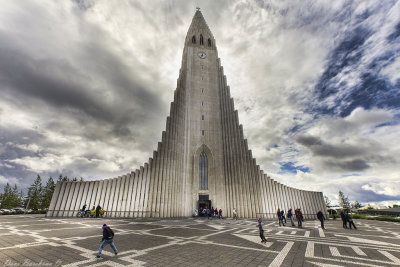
x,y
199,33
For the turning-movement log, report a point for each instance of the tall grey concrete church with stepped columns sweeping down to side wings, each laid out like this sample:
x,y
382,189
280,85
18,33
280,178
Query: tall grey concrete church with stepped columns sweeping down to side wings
x,y
202,160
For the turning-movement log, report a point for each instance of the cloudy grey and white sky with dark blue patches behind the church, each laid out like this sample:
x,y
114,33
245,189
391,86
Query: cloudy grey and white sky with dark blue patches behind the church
x,y
86,85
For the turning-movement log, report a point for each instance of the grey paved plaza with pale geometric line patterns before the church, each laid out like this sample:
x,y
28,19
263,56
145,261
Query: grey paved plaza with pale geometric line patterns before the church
x,y
40,241
